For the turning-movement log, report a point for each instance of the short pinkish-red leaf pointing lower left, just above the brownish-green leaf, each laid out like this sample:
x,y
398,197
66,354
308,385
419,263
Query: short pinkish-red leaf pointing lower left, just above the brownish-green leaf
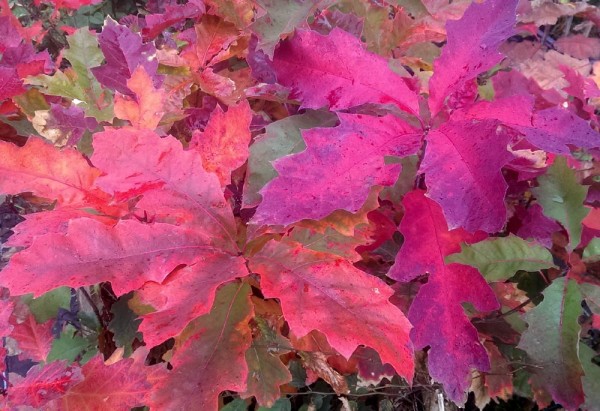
x,y
176,300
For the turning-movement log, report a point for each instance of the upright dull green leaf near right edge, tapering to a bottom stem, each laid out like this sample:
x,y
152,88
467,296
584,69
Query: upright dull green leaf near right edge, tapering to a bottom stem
x,y
561,198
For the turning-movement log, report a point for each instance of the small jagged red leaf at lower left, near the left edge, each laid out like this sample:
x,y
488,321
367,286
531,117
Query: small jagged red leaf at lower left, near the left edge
x,y
34,340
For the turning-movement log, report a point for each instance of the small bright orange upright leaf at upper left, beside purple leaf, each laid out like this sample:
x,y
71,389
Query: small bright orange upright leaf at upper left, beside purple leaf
x,y
145,109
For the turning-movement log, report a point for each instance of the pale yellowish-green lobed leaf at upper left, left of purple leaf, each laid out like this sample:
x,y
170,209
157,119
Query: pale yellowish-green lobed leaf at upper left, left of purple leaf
x,y
77,82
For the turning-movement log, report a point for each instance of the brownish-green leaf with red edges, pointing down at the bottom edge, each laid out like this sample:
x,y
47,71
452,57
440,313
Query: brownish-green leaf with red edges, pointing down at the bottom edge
x,y
210,344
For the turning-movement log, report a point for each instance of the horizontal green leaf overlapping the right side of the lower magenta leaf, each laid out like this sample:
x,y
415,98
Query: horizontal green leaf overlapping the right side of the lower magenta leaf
x,y
499,259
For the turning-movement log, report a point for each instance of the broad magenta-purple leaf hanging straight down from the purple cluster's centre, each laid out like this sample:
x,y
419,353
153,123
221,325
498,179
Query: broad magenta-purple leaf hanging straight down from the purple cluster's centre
x,y
462,167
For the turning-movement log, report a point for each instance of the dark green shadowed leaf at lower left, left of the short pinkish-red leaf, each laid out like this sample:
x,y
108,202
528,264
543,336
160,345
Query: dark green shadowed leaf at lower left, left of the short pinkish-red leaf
x,y
124,324
